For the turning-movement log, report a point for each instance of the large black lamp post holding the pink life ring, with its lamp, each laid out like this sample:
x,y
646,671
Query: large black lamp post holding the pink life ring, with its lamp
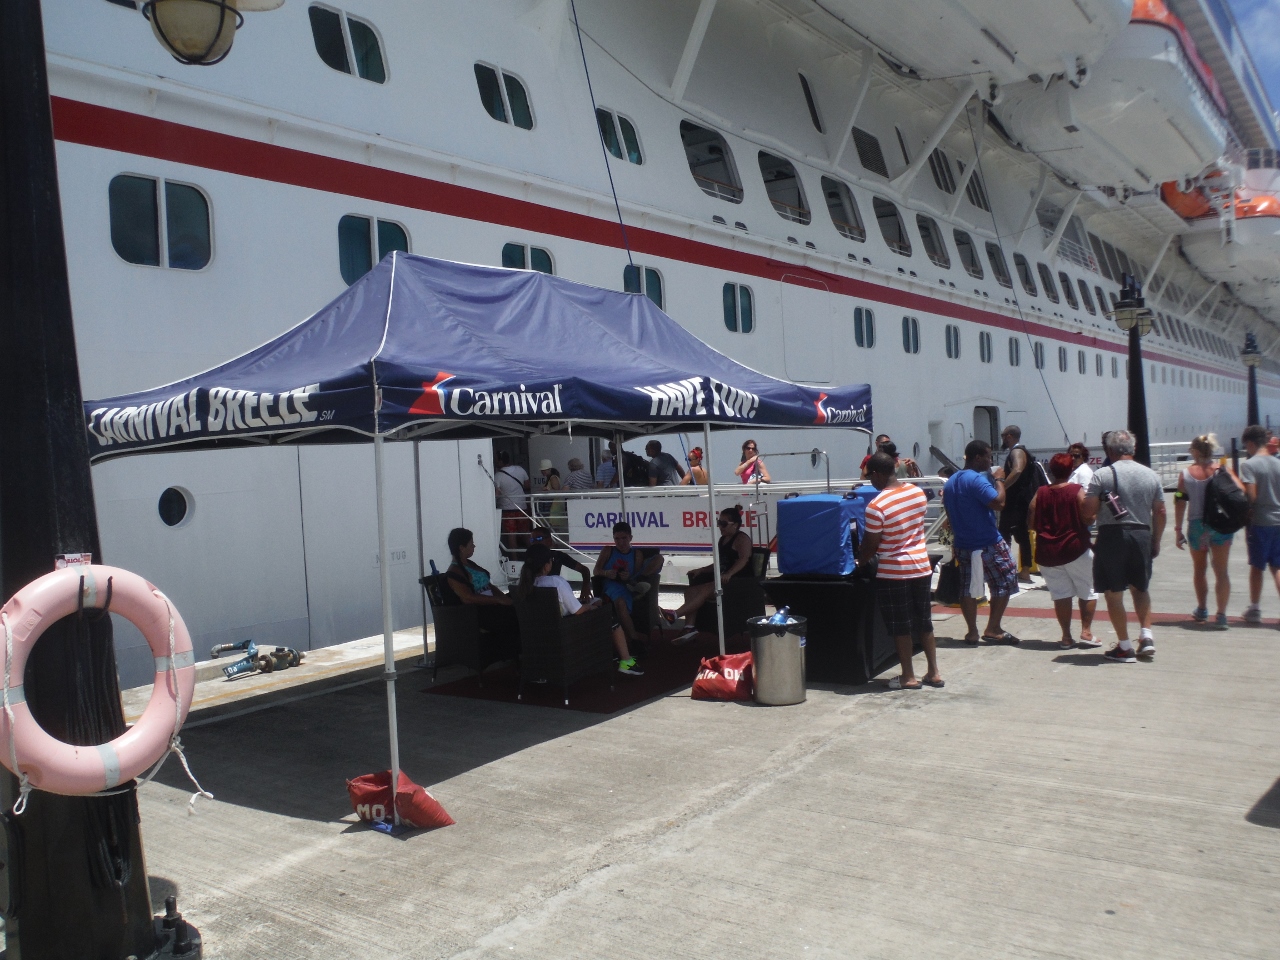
x,y
74,872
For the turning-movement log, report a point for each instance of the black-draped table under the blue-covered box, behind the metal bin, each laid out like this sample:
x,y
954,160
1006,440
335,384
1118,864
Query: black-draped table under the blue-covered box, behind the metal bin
x,y
847,642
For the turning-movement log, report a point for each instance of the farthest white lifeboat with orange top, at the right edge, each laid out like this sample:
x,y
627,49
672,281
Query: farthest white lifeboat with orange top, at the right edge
x,y
1246,257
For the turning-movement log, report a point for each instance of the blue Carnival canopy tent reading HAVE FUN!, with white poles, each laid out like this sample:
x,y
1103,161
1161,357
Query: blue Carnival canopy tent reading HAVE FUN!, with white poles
x,y
429,349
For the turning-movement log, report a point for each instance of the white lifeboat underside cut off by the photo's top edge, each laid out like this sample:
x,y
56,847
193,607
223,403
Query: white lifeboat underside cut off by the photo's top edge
x,y
1009,42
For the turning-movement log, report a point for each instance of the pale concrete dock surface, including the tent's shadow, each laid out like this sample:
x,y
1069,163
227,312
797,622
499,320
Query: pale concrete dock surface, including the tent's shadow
x,y
1044,804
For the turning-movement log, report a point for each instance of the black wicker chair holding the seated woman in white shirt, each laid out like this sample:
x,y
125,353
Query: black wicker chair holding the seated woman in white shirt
x,y
563,650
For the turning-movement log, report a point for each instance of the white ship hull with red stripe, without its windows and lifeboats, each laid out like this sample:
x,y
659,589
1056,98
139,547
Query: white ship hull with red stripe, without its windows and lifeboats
x,y
281,545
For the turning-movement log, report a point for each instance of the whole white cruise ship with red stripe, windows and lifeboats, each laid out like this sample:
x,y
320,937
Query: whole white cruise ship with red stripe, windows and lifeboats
x,y
938,198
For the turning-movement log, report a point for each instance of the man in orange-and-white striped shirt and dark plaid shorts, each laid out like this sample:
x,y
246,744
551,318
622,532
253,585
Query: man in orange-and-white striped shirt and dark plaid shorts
x,y
895,537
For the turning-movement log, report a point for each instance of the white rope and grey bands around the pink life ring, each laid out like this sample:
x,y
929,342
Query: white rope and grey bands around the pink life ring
x,y
170,666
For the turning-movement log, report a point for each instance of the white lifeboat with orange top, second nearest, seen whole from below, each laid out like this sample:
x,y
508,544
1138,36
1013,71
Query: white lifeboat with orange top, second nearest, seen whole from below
x,y
1150,113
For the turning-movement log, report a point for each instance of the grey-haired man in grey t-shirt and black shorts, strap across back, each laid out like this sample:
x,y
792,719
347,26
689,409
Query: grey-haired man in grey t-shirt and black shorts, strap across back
x,y
1128,502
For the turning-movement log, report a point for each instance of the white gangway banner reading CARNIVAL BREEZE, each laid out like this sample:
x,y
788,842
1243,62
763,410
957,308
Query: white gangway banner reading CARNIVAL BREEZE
x,y
673,523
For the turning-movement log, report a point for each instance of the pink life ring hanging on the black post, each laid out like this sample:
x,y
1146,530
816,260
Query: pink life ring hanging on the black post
x,y
76,771
